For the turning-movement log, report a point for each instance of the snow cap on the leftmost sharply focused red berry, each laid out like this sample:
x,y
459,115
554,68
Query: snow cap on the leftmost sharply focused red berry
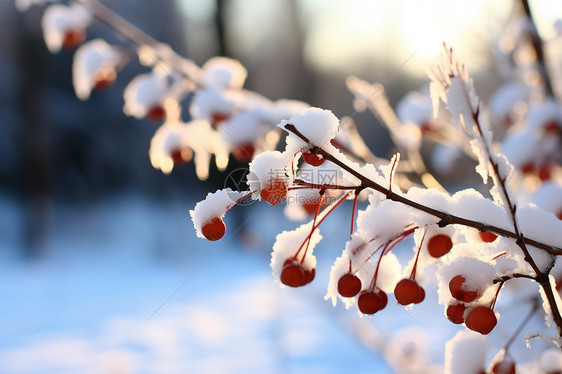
x,y
214,206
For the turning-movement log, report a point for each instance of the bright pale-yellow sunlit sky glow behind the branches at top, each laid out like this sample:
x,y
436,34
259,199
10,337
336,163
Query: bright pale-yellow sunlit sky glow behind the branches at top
x,y
345,35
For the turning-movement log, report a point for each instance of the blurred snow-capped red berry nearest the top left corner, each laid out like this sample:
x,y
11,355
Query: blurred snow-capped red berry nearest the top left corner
x,y
64,26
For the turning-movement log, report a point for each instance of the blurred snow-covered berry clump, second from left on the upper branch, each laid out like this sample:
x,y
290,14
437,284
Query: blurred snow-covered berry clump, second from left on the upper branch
x,y
94,65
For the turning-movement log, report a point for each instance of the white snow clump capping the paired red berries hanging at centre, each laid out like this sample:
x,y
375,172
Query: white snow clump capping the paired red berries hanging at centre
x,y
294,245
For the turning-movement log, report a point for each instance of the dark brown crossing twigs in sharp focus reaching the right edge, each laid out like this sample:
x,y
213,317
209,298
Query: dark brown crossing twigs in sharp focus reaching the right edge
x,y
447,219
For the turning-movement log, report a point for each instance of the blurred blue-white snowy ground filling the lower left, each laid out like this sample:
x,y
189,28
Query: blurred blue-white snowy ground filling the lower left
x,y
94,302
